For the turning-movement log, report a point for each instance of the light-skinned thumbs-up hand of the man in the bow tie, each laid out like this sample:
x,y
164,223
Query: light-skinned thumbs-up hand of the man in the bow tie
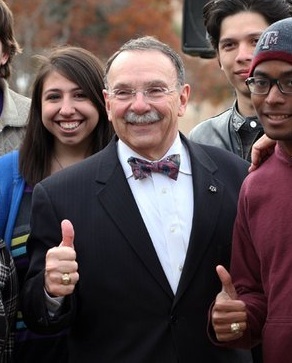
x,y
61,270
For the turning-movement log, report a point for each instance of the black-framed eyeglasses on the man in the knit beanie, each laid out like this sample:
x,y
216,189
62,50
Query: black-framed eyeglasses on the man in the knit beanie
x,y
262,86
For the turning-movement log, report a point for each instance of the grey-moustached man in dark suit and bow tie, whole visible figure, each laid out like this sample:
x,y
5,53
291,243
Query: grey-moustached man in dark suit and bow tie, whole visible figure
x,y
134,275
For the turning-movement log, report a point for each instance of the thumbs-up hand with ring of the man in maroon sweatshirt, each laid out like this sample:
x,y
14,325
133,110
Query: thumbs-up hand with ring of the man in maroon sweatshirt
x,y
229,317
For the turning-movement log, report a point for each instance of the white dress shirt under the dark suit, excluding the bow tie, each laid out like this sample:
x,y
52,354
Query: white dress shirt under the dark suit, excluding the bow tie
x,y
166,206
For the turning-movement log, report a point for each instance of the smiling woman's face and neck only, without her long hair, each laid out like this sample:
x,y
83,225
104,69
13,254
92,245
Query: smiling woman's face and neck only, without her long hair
x,y
70,116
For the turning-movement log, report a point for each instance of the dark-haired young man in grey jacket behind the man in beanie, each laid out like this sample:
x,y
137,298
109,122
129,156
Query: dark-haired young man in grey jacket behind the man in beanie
x,y
234,27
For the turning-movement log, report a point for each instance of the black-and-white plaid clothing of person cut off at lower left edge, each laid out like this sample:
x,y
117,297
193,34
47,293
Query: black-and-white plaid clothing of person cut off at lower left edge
x,y
8,303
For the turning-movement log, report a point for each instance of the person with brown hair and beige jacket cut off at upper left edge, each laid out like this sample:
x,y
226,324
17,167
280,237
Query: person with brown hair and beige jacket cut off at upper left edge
x,y
14,107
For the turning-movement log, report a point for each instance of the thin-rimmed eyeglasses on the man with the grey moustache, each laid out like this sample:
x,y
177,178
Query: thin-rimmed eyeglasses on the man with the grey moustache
x,y
151,94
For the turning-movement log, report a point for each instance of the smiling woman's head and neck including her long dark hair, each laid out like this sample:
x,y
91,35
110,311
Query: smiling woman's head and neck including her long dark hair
x,y
67,117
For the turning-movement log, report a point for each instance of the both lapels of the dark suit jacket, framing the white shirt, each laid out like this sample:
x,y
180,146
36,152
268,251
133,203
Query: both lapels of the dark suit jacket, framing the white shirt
x,y
121,207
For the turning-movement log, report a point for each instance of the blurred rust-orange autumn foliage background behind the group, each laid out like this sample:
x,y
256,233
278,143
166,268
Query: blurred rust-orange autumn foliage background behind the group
x,y
102,26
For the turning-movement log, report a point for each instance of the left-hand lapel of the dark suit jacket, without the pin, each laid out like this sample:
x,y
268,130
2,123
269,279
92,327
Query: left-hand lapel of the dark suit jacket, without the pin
x,y
121,207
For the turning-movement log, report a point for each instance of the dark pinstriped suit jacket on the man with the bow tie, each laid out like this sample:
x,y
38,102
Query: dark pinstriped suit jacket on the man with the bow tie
x,y
123,309
